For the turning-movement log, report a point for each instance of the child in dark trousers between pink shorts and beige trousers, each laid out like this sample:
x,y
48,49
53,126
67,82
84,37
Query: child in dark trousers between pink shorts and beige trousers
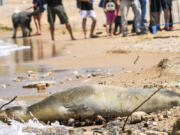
x,y
118,20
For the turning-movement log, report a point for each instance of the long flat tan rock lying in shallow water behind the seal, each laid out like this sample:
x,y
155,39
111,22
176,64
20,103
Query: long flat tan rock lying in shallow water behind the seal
x,y
40,84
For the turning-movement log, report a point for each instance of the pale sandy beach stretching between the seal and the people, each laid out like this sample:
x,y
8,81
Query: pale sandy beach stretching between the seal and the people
x,y
144,61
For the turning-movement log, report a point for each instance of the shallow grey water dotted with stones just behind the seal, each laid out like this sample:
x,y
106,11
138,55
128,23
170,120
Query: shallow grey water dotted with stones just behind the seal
x,y
64,79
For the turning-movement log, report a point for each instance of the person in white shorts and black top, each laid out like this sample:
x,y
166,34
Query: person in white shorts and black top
x,y
85,12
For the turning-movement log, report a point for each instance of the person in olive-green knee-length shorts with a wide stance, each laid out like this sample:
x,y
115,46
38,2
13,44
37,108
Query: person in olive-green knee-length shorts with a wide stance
x,y
55,7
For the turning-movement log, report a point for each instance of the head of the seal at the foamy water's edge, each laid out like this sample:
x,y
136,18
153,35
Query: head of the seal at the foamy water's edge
x,y
17,113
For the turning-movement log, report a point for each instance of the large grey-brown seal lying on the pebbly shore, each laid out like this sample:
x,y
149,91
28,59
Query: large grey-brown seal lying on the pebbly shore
x,y
90,101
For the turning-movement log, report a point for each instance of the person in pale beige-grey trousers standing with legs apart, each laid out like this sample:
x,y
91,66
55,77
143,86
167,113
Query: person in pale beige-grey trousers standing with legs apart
x,y
124,7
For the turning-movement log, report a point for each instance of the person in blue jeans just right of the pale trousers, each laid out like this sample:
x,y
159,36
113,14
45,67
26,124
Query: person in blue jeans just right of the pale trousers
x,y
143,13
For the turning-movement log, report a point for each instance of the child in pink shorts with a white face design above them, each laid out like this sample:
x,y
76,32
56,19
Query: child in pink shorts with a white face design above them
x,y
110,9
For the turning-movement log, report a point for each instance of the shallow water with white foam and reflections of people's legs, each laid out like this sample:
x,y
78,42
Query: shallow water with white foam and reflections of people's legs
x,y
16,51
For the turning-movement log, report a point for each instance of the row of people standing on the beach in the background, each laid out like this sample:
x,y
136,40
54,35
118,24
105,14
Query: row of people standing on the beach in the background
x,y
116,12
